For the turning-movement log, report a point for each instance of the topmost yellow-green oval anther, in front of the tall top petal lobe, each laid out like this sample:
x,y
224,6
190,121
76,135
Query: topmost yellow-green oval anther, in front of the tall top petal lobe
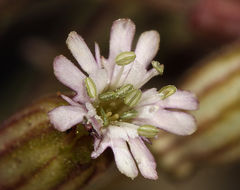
x,y
125,58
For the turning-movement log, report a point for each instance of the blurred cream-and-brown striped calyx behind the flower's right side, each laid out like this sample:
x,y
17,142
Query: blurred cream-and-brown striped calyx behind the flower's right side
x,y
216,81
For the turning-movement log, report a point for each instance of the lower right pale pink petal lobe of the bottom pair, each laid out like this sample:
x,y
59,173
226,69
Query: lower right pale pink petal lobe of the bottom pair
x,y
144,158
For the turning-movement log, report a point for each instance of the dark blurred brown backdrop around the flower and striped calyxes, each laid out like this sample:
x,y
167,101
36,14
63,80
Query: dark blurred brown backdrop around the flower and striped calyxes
x,y
33,32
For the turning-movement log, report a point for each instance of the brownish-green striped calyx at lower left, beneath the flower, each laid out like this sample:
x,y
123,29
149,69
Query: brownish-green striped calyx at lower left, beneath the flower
x,y
33,155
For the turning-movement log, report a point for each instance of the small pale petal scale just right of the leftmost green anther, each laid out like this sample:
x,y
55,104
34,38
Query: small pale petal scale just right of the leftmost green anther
x,y
100,78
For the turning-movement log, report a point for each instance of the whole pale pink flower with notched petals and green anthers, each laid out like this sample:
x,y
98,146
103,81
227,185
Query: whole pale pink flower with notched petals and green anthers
x,y
108,98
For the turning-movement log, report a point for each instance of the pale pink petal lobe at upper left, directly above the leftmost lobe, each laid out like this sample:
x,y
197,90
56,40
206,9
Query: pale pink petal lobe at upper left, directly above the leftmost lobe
x,y
70,75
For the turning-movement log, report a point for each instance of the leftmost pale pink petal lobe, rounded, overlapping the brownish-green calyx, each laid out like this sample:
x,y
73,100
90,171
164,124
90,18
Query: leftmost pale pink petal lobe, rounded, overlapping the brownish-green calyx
x,y
64,117
